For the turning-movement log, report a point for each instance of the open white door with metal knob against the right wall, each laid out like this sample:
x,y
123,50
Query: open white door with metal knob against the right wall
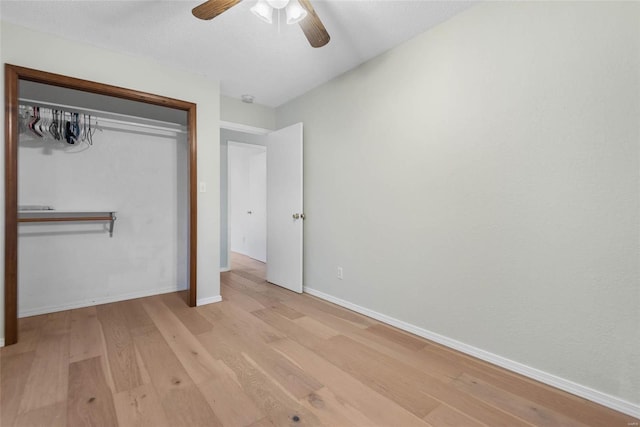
x,y
284,207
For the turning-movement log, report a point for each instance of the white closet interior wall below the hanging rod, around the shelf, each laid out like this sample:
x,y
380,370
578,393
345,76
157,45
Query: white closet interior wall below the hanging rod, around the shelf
x,y
140,173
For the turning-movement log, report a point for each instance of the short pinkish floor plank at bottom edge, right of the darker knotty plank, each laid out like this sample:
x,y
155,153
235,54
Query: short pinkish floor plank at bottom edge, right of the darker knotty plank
x,y
140,407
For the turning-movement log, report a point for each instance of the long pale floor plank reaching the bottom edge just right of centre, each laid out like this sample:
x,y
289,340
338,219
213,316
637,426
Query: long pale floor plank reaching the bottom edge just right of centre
x,y
376,407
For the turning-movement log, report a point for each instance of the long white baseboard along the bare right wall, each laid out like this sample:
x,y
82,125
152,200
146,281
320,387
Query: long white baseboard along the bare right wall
x,y
536,374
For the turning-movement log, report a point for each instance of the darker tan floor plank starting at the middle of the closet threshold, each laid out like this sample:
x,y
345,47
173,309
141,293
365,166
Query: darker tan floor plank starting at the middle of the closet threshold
x,y
120,351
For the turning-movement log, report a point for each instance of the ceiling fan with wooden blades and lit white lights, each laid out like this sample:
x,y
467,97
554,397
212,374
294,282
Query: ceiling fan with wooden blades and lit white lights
x,y
300,11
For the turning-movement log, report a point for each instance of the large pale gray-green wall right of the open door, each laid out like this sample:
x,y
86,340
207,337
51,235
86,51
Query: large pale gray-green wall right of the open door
x,y
481,182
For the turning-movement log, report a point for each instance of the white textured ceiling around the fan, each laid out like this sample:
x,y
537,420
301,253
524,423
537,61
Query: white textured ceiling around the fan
x,y
275,63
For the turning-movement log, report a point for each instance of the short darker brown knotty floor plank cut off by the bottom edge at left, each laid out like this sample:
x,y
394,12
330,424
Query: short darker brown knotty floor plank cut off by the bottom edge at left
x,y
90,401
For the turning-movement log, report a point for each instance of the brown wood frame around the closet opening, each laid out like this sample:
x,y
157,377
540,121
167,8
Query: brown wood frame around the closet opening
x,y
13,74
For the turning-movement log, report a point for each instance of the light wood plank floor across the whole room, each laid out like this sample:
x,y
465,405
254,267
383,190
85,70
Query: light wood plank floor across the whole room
x,y
262,357
